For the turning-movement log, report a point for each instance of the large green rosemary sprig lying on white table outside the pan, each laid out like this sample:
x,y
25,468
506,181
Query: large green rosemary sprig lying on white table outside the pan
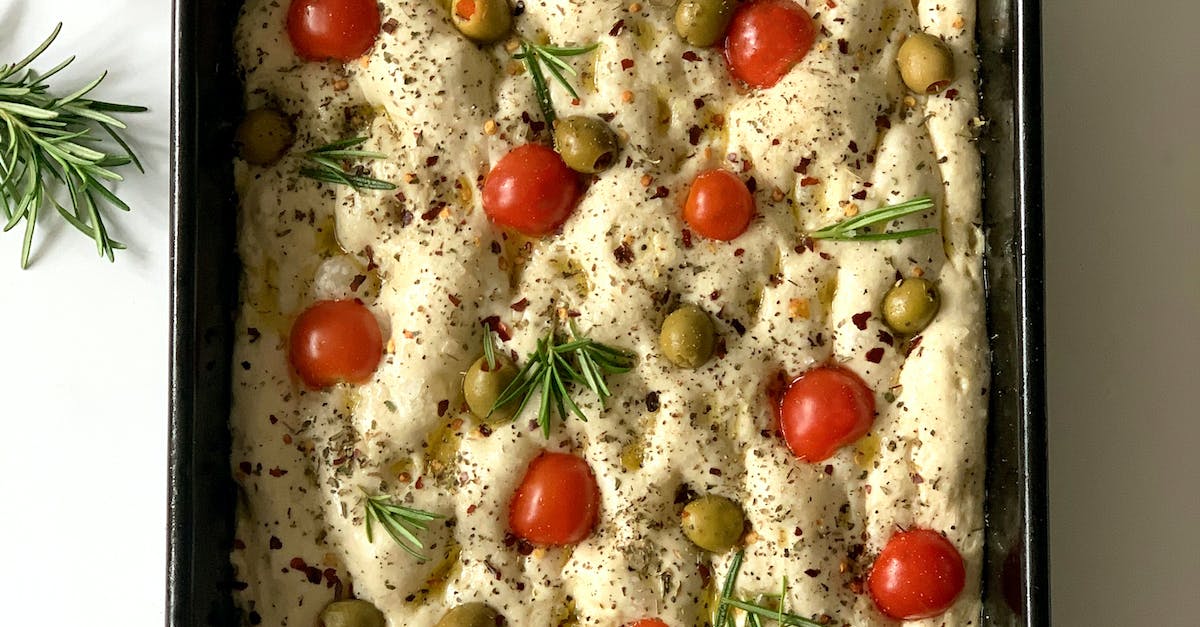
x,y
47,140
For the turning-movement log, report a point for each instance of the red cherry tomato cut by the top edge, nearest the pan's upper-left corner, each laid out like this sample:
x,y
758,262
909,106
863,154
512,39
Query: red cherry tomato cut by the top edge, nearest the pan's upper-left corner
x,y
333,29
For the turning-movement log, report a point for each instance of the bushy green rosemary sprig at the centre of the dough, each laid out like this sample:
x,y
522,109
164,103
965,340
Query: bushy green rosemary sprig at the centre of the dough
x,y
556,367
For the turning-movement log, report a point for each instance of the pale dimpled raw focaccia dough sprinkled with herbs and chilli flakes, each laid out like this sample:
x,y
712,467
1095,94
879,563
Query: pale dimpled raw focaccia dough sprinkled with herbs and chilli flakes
x,y
839,130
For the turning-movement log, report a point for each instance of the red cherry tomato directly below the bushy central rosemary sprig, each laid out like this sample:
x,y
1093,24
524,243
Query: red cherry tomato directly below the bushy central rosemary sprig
x,y
559,501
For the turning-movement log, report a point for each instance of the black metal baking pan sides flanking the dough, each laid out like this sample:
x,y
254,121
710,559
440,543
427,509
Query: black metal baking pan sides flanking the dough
x,y
207,105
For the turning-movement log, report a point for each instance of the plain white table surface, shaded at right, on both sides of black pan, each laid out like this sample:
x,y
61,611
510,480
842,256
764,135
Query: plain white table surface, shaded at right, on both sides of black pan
x,y
83,359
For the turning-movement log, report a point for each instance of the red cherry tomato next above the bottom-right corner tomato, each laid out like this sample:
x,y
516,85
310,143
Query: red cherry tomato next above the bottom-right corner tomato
x,y
825,410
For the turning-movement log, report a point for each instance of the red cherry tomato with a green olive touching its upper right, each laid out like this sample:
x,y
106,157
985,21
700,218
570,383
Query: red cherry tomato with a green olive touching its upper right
x,y
531,190
